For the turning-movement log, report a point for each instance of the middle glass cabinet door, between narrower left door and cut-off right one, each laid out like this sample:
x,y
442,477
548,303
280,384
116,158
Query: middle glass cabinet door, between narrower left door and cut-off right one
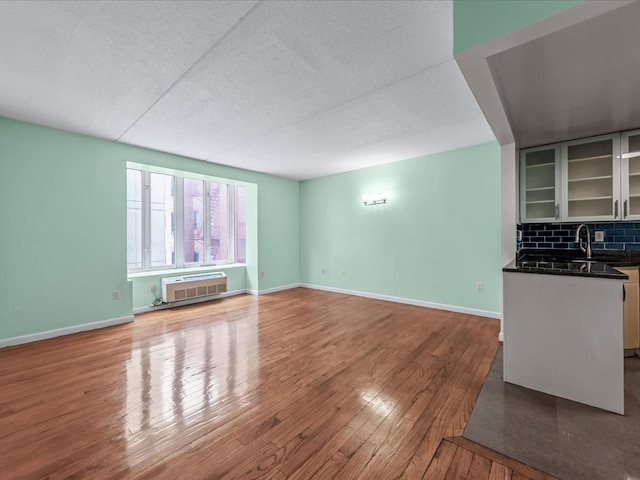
x,y
591,179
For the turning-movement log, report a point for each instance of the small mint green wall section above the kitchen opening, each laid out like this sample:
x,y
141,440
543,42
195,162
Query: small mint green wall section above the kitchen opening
x,y
477,21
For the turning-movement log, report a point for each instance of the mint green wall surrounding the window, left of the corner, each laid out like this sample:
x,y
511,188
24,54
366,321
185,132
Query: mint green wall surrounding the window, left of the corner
x,y
63,217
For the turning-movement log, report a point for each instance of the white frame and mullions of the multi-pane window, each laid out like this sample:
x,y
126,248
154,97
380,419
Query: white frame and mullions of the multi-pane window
x,y
205,216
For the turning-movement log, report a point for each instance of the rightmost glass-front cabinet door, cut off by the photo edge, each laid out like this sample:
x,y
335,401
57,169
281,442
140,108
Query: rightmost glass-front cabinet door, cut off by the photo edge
x,y
630,163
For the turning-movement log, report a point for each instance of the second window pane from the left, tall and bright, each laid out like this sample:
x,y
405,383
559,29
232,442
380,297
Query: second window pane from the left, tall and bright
x,y
162,239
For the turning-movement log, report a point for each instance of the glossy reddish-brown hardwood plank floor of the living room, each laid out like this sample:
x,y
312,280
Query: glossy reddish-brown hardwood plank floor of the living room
x,y
298,384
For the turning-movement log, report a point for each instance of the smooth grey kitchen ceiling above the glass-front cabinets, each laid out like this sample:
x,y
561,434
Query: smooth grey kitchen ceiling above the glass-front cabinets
x,y
577,82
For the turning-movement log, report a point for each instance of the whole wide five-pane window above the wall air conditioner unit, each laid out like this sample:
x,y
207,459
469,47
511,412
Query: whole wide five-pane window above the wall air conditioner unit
x,y
179,221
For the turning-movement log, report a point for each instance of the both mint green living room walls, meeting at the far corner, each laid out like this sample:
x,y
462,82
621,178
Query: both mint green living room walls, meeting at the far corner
x,y
63,241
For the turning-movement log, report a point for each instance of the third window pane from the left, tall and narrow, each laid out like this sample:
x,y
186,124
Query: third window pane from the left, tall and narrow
x,y
193,226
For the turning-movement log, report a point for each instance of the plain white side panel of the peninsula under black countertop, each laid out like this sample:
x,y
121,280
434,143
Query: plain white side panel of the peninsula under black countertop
x,y
563,336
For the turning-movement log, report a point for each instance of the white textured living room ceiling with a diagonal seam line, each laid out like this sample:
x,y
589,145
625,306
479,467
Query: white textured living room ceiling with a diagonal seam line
x,y
298,89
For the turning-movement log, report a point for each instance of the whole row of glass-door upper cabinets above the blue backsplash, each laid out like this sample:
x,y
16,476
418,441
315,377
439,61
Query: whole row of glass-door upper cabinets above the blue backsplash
x,y
587,180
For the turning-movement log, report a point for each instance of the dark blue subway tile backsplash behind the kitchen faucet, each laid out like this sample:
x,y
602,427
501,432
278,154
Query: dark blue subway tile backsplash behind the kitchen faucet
x,y
617,236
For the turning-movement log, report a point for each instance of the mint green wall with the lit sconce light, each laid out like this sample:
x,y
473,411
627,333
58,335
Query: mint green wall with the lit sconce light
x,y
437,236
